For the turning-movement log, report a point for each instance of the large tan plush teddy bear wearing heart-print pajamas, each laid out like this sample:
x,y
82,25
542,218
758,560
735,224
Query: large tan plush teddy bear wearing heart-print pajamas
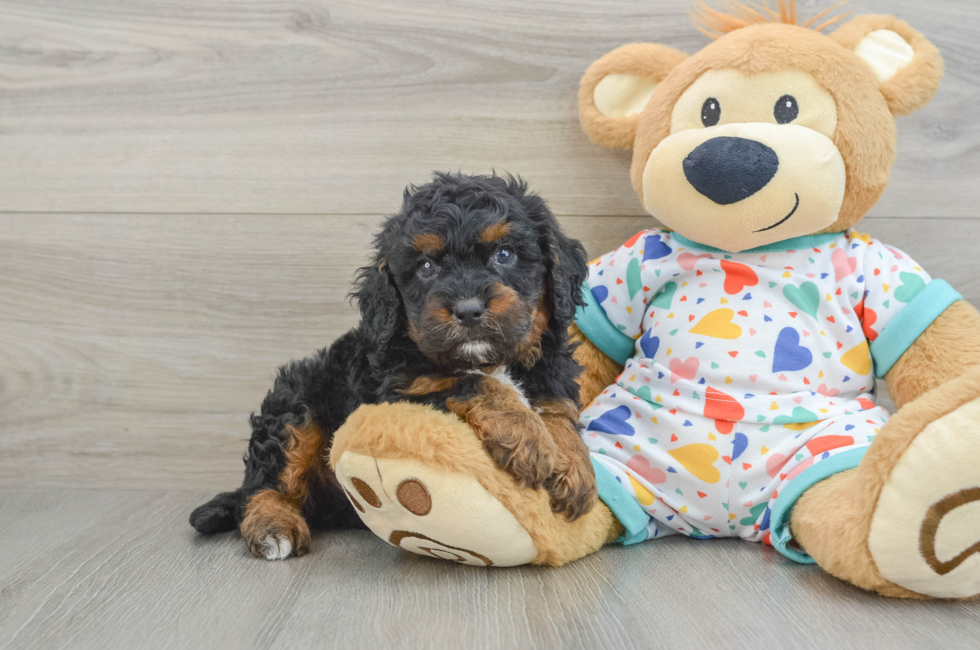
x,y
730,358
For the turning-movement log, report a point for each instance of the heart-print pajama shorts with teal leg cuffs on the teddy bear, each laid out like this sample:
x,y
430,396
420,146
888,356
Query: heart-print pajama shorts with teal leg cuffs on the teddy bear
x,y
663,467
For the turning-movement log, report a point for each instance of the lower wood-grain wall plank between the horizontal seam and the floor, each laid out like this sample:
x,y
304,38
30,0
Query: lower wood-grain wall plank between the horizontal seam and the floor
x,y
133,348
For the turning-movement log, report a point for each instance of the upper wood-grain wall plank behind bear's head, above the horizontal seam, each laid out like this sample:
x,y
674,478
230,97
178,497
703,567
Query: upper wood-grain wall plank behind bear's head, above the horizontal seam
x,y
332,106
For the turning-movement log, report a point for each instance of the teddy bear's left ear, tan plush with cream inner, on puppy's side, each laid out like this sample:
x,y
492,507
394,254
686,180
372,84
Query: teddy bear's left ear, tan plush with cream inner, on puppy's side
x,y
616,88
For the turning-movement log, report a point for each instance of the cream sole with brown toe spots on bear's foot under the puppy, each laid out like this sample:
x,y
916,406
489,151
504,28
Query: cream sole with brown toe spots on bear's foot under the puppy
x,y
430,512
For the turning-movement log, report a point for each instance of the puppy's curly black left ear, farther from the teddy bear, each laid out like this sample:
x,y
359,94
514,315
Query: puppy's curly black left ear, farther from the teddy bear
x,y
377,296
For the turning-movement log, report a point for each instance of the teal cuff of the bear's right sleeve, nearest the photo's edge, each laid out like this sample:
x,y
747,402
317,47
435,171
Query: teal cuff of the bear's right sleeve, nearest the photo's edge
x,y
908,324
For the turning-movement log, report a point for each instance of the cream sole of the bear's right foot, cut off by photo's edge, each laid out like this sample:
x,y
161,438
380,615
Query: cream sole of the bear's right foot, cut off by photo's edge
x,y
925,534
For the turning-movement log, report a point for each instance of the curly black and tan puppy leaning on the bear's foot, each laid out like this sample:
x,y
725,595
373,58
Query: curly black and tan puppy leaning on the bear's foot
x,y
465,307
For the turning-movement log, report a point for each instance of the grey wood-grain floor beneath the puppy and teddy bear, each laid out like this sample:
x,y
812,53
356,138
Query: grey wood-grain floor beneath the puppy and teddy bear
x,y
121,570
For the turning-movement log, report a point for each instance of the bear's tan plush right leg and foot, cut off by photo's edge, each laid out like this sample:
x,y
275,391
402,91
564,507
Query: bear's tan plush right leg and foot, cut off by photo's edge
x,y
906,521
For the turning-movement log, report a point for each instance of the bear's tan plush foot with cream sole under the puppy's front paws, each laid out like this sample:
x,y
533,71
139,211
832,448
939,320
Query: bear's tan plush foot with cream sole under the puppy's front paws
x,y
421,480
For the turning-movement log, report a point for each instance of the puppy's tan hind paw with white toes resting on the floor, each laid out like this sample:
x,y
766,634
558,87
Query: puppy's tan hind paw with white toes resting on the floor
x,y
274,529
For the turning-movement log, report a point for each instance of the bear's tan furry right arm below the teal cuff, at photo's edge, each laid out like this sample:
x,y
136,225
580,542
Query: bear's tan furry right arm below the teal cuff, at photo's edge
x,y
944,351
